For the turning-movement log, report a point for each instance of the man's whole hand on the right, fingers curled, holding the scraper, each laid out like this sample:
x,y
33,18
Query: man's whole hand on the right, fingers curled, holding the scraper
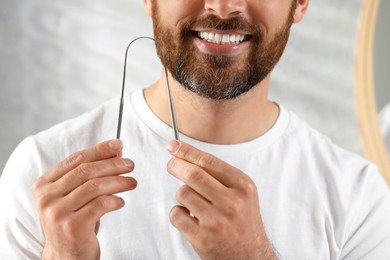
x,y
219,211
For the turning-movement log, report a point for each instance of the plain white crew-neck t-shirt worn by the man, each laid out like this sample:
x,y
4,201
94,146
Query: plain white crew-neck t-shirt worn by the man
x,y
317,201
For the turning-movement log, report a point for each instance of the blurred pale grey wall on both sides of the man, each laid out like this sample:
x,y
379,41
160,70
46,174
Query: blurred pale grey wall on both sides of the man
x,y
61,58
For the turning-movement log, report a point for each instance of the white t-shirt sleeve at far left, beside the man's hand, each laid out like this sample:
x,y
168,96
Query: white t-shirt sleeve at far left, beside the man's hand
x,y
21,236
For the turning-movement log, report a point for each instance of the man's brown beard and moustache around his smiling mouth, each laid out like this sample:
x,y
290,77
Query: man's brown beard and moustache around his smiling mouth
x,y
219,77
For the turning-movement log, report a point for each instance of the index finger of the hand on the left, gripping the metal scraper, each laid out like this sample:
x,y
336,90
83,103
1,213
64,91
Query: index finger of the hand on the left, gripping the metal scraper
x,y
101,151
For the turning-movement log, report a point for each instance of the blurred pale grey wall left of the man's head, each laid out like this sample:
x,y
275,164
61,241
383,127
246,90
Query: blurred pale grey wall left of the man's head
x,y
59,59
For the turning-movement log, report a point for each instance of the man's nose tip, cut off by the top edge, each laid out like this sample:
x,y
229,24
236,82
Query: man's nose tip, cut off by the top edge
x,y
225,8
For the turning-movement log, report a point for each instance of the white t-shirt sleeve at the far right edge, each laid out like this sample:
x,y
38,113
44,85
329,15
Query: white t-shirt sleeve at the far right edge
x,y
368,233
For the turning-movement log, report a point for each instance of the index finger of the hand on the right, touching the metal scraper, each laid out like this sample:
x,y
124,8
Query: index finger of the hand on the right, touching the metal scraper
x,y
225,173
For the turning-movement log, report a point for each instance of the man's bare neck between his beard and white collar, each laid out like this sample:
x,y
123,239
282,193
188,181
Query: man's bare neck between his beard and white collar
x,y
220,122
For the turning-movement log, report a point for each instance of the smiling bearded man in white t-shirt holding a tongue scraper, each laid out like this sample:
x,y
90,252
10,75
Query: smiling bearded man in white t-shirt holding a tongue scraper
x,y
249,179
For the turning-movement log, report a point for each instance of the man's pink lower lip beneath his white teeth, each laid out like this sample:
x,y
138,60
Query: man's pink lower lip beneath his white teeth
x,y
220,49
